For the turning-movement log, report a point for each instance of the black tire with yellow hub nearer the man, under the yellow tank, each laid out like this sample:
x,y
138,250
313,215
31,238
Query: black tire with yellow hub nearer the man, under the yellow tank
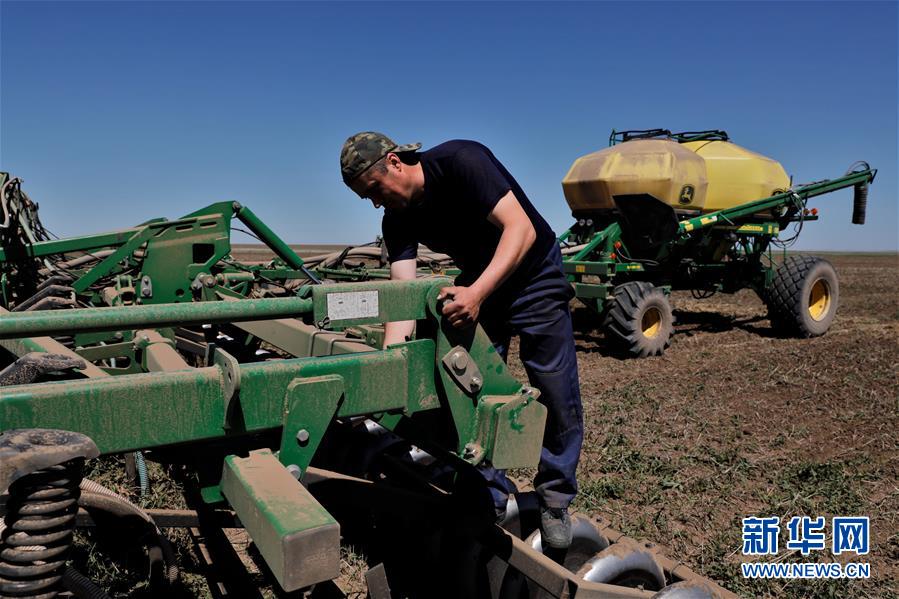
x,y
639,320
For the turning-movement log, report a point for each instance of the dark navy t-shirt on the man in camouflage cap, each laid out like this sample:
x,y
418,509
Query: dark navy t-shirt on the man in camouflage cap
x,y
463,183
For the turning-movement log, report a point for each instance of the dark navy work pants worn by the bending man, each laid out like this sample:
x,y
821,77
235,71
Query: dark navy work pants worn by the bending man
x,y
539,315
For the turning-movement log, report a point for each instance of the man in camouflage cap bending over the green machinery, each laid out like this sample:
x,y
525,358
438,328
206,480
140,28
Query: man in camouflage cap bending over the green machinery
x,y
458,199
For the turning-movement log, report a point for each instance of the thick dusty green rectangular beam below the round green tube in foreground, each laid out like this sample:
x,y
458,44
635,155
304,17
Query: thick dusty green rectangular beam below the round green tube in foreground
x,y
190,405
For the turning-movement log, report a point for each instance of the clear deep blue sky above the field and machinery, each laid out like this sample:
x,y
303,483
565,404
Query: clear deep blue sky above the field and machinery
x,y
117,112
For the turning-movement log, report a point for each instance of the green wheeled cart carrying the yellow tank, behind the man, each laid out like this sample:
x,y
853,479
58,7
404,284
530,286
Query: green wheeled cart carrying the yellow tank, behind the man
x,y
659,211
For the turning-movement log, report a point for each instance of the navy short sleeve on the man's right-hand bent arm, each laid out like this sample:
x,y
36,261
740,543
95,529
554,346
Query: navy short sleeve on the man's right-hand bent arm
x,y
480,180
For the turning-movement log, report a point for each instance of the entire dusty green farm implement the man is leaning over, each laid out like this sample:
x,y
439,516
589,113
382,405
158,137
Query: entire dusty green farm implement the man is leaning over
x,y
267,397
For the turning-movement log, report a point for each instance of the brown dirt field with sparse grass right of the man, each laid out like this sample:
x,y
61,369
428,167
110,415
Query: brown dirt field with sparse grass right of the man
x,y
734,422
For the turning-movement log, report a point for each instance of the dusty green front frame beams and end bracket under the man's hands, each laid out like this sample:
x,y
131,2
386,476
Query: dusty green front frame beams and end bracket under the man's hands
x,y
445,371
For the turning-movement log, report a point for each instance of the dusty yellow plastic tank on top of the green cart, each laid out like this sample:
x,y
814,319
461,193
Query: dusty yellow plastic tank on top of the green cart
x,y
699,175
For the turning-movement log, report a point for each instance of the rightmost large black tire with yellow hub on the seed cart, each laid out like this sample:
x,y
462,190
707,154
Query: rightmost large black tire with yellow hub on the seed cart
x,y
803,297
